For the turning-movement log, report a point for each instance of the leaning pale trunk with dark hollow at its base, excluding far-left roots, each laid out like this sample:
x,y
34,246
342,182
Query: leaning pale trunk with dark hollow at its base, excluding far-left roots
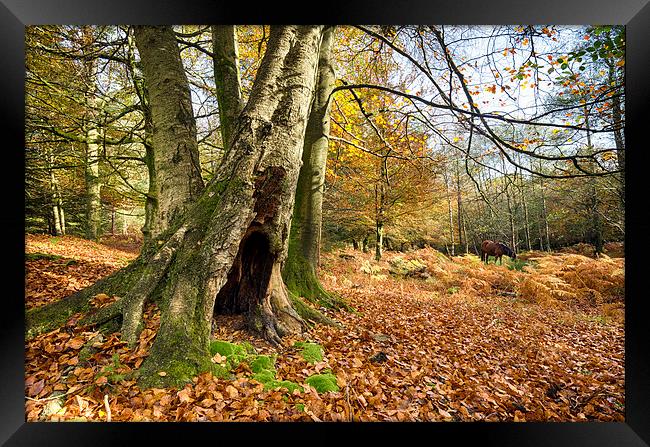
x,y
234,240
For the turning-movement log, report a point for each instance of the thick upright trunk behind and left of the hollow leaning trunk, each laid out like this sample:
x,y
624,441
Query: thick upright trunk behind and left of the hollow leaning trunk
x,y
175,148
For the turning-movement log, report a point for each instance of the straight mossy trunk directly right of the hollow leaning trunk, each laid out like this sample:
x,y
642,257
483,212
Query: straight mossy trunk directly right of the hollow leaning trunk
x,y
300,270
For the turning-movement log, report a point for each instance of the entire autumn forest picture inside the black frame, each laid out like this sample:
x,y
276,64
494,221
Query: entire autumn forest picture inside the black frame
x,y
324,223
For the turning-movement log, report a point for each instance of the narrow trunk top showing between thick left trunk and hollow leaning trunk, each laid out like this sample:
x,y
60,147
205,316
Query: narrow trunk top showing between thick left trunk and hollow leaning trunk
x,y
227,79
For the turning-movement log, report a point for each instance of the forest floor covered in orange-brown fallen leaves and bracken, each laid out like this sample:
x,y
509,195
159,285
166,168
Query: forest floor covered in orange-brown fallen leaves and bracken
x,y
432,338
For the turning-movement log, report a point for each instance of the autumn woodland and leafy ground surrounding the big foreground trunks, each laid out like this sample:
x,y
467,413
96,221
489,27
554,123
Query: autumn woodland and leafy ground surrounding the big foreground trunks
x,y
412,186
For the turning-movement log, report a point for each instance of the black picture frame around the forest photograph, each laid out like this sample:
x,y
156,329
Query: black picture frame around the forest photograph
x,y
635,14
